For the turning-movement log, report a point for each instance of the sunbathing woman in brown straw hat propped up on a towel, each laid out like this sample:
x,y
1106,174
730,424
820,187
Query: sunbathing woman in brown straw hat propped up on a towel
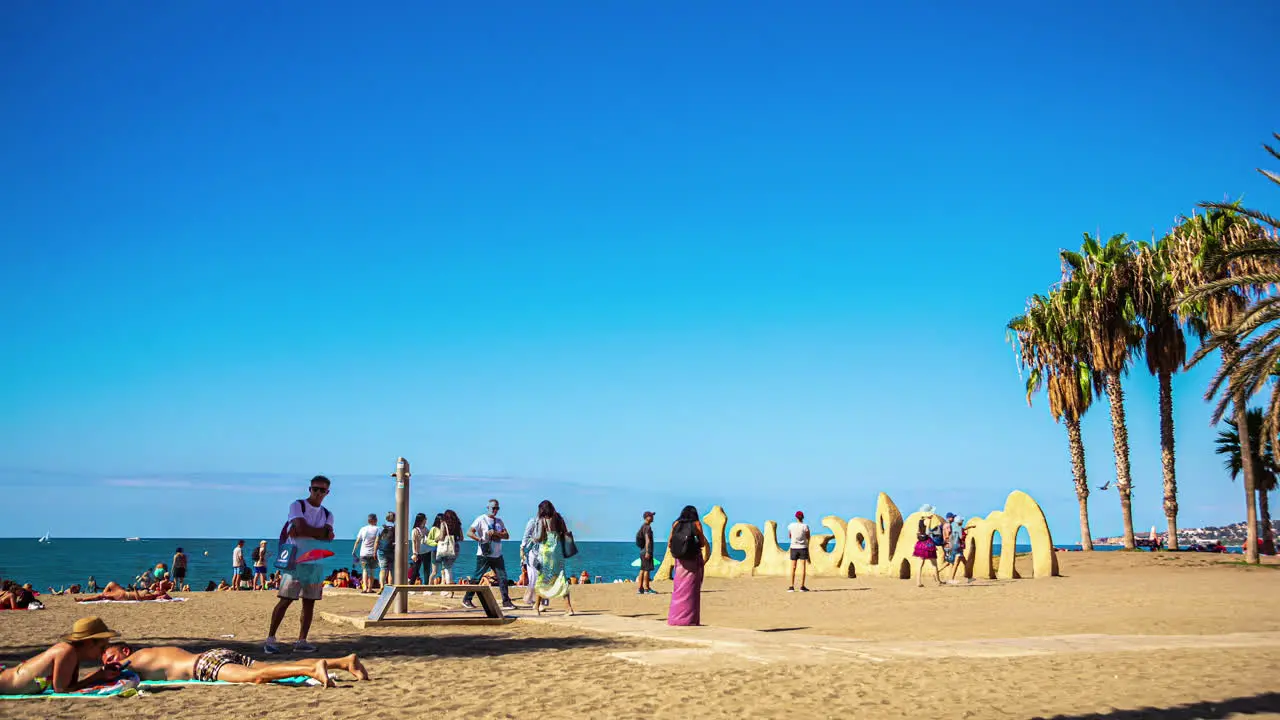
x,y
58,668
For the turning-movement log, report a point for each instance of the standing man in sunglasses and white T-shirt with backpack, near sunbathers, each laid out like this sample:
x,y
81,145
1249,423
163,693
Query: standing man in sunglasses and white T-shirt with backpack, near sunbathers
x,y
310,526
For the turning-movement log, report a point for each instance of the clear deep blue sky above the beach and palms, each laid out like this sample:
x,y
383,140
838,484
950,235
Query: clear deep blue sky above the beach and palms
x,y
621,257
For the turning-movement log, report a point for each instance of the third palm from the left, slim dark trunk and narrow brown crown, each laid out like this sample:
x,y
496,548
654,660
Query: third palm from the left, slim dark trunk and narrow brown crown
x,y
1167,353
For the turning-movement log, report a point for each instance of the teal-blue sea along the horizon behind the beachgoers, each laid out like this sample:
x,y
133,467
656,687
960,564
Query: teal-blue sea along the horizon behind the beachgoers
x,y
62,562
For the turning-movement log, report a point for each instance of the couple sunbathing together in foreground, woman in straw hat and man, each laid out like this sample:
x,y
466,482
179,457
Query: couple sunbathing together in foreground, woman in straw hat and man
x,y
90,641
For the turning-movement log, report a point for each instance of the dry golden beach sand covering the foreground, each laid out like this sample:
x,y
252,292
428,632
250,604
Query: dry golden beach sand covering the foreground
x,y
853,649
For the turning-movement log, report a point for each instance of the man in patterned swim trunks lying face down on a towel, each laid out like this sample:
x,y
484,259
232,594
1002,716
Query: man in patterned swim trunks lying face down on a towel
x,y
223,664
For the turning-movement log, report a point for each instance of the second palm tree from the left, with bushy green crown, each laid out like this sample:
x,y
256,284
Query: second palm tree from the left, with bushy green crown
x,y
1100,284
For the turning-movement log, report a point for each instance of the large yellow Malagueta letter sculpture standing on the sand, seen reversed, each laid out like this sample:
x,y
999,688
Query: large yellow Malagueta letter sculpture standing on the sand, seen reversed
x,y
879,548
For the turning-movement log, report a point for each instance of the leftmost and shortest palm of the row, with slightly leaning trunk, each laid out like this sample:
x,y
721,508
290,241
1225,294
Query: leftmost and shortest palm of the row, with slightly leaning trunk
x,y
1050,345
